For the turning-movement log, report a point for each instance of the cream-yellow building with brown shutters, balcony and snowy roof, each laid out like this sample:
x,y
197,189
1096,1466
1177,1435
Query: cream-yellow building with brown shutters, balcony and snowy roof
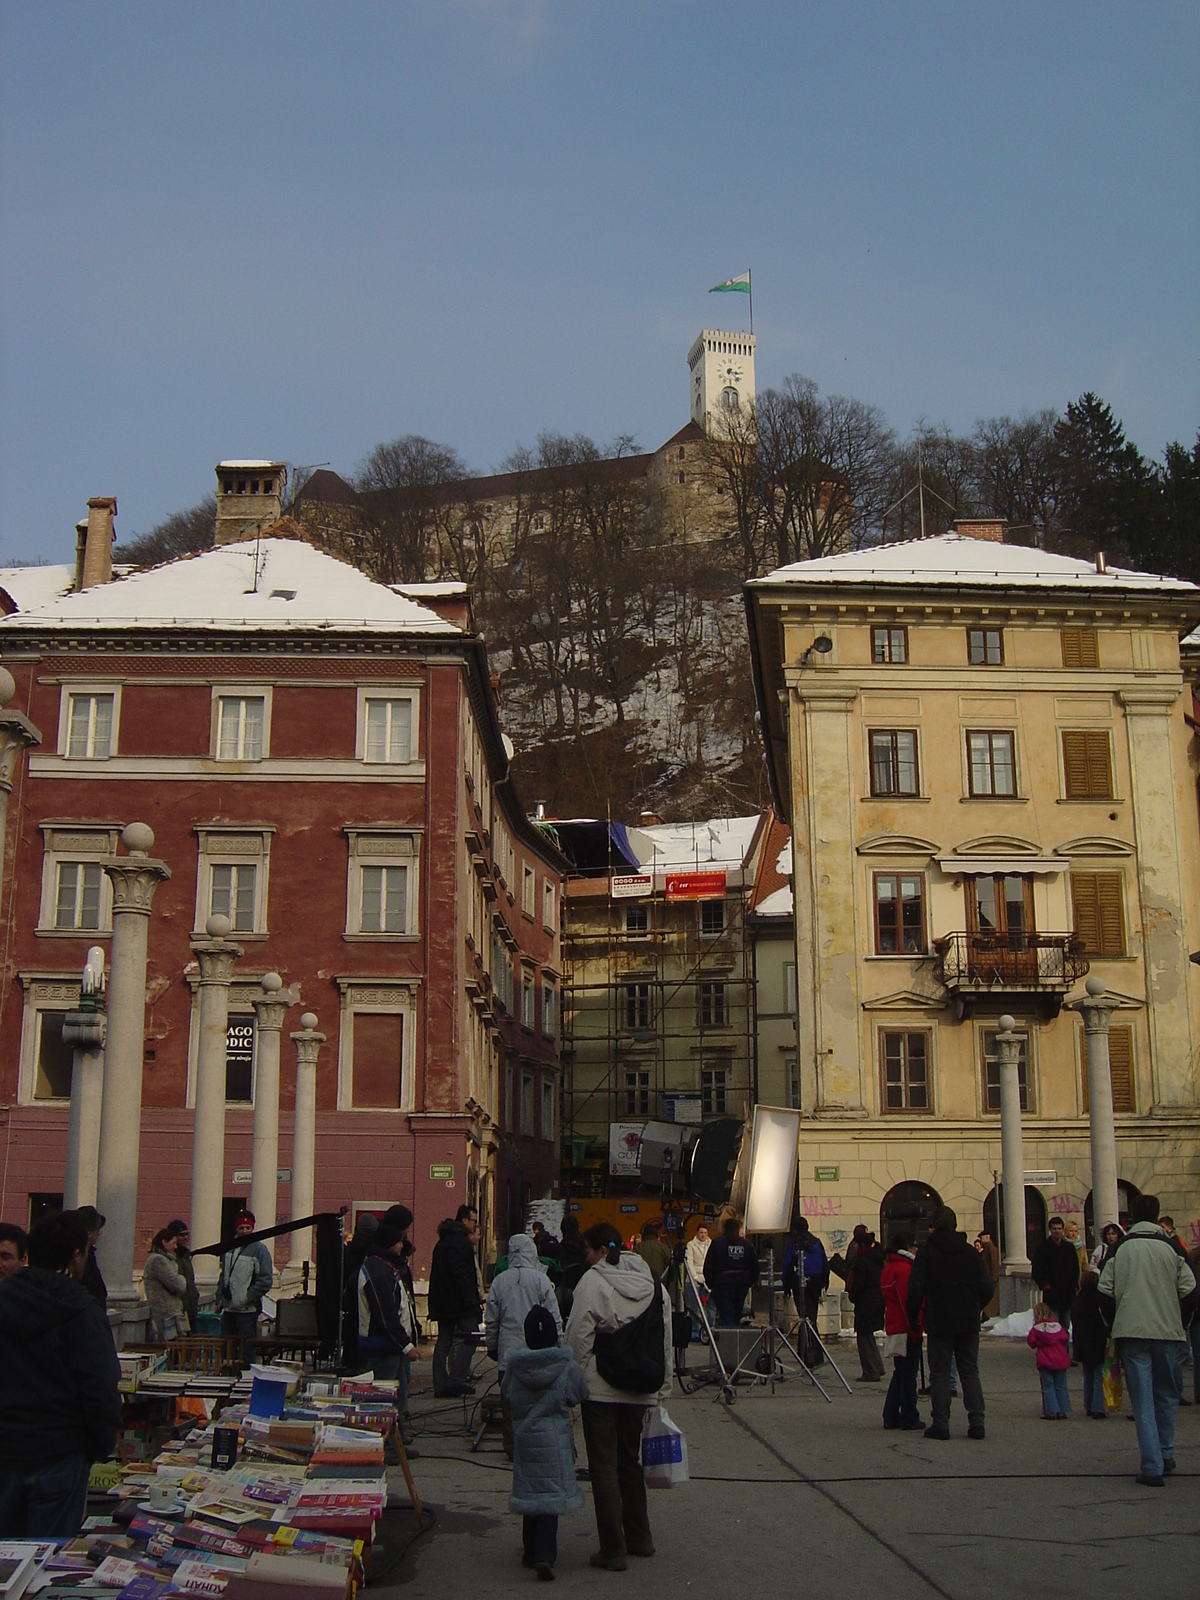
x,y
991,777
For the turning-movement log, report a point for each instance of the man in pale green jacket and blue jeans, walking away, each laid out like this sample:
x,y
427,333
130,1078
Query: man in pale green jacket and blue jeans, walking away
x,y
1150,1284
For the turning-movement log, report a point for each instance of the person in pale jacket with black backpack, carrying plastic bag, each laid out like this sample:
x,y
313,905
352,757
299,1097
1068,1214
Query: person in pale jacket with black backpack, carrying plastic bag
x,y
620,1335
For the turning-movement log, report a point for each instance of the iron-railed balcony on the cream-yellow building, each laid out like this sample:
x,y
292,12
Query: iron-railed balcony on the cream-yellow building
x,y
985,970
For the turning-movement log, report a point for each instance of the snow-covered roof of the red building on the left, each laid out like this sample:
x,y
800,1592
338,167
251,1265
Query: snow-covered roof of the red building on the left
x,y
298,590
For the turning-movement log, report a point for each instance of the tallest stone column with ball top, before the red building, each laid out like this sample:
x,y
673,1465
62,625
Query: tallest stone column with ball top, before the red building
x,y
135,879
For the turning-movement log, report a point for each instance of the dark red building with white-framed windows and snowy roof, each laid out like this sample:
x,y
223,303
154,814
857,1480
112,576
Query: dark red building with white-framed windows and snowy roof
x,y
321,761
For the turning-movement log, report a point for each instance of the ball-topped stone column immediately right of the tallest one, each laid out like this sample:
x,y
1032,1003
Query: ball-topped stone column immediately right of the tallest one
x,y
215,958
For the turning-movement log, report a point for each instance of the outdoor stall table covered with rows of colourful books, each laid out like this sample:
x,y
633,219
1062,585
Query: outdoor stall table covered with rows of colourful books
x,y
274,1494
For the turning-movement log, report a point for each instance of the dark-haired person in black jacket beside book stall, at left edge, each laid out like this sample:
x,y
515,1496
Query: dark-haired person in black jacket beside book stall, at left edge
x,y
60,1409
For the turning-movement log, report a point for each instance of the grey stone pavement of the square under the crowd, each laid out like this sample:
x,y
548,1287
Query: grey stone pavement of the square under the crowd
x,y
794,1497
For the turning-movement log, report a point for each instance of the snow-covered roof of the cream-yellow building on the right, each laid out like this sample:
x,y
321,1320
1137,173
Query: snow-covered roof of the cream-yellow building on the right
x,y
962,562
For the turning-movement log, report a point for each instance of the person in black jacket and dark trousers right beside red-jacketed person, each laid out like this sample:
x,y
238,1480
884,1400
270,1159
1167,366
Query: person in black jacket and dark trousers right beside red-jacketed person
x,y
948,1289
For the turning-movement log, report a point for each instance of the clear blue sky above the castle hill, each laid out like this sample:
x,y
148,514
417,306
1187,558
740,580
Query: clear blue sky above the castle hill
x,y
297,231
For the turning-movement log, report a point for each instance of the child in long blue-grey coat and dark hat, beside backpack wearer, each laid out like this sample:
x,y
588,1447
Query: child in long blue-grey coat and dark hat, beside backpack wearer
x,y
542,1383
